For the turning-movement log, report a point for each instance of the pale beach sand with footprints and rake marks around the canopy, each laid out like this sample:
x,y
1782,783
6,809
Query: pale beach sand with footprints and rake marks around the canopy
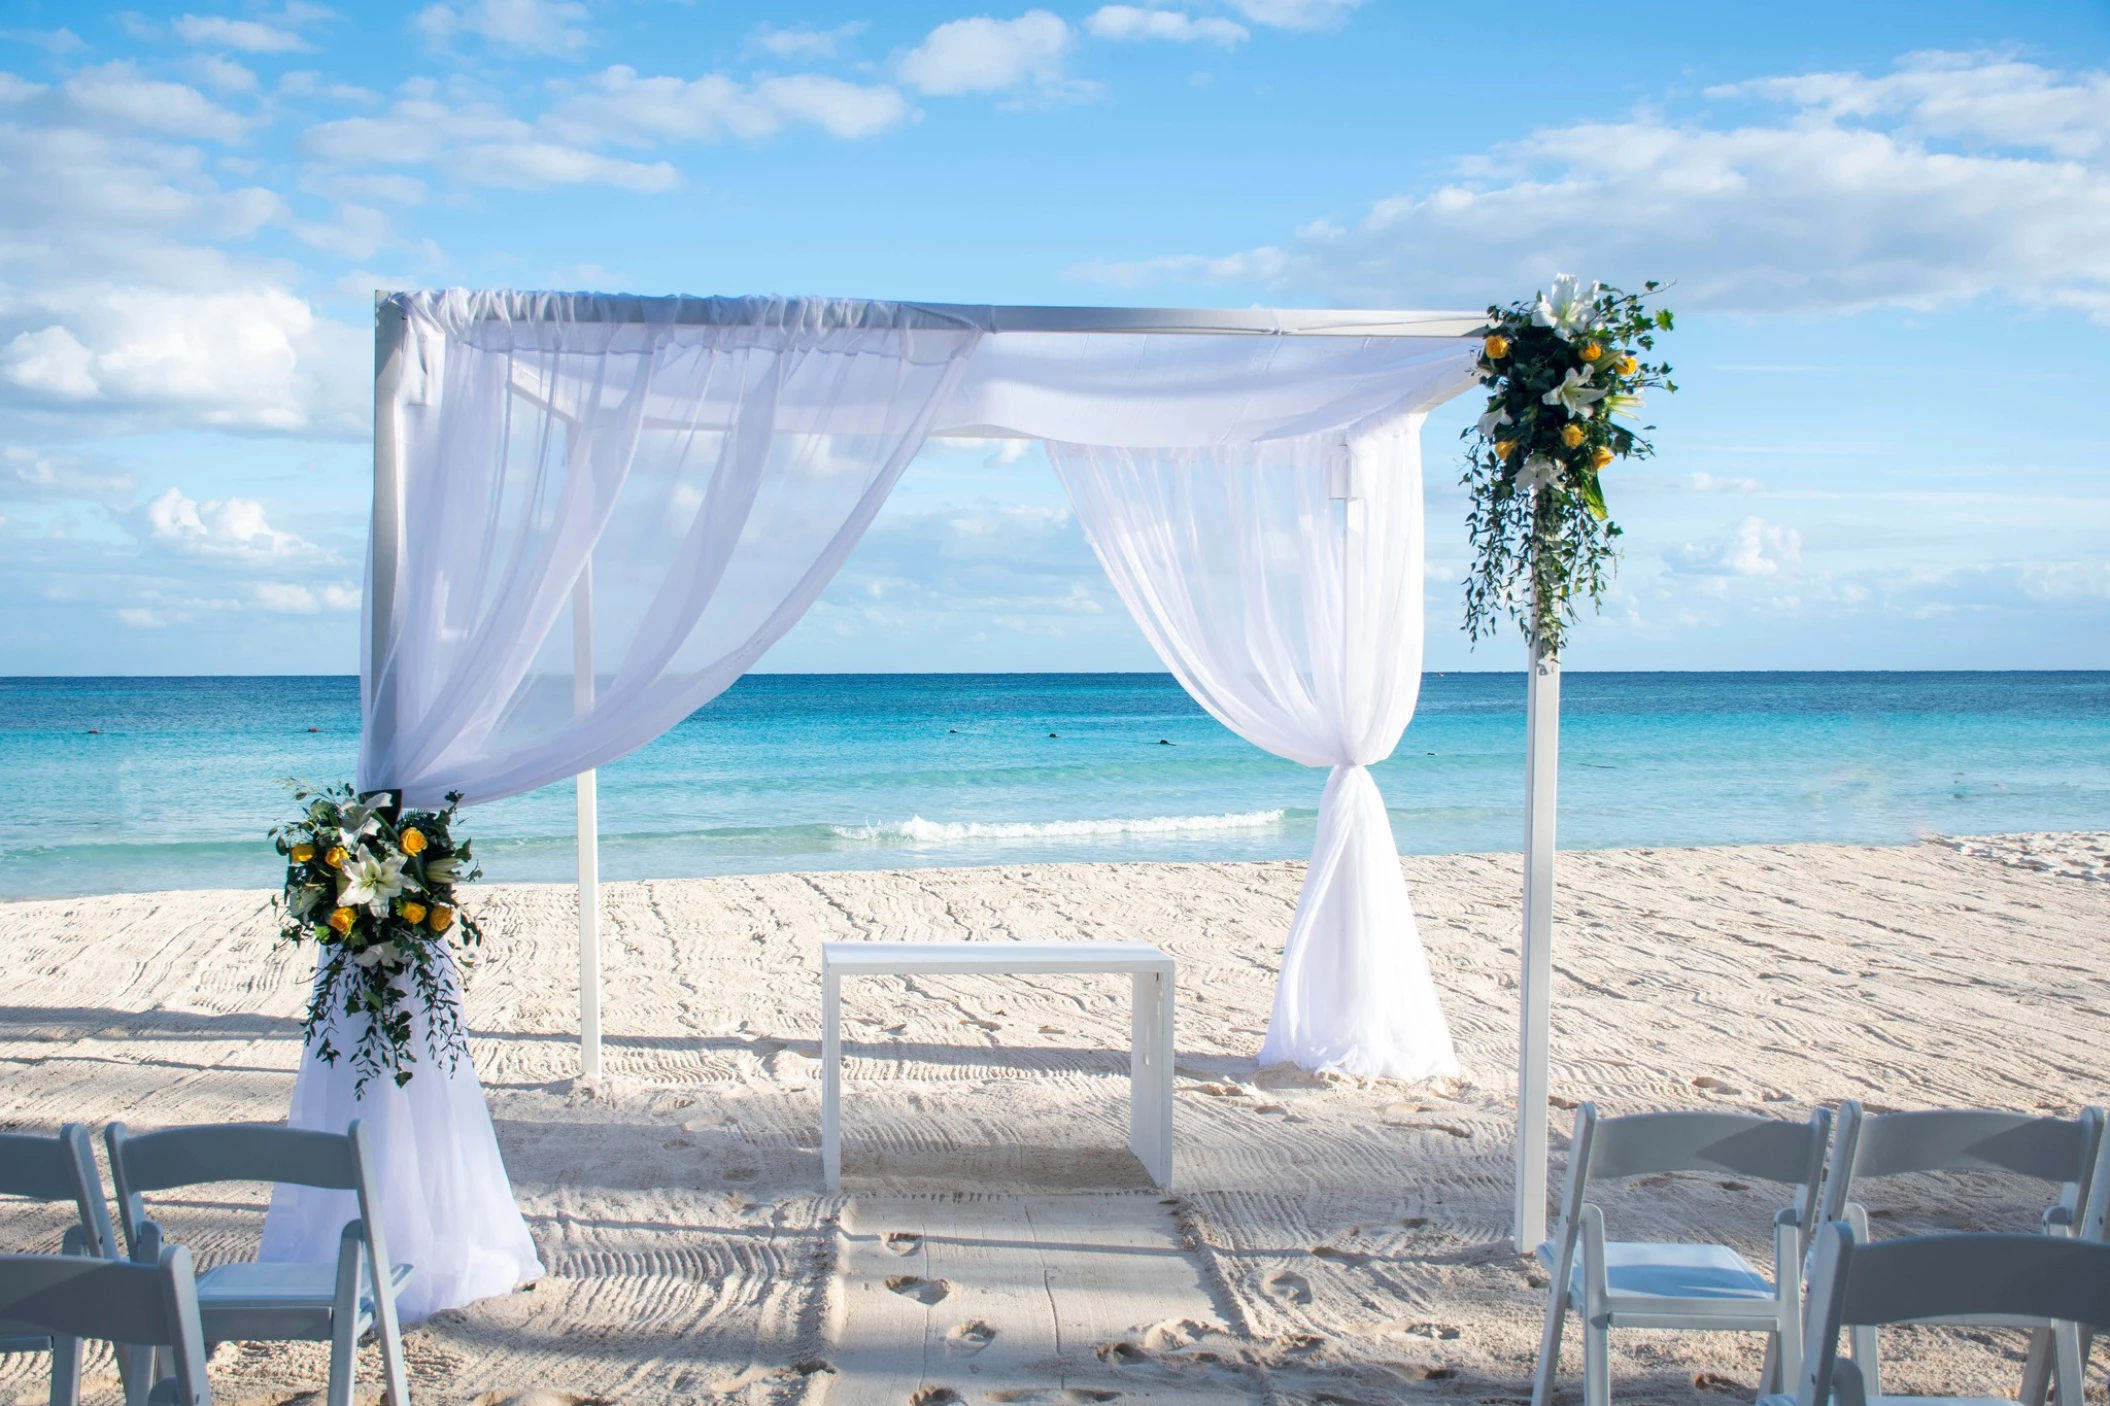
x,y
1328,1240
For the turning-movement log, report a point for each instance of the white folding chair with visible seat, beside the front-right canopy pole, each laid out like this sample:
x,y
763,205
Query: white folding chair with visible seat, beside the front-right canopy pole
x,y
1628,1285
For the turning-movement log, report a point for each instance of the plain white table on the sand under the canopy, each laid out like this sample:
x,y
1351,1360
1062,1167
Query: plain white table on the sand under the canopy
x,y
1151,1023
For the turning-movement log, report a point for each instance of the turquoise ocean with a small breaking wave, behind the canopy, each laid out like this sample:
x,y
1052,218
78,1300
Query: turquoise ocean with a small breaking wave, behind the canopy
x,y
134,784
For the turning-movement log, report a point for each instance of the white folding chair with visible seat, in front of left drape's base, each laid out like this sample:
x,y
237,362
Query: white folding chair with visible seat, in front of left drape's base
x,y
275,1304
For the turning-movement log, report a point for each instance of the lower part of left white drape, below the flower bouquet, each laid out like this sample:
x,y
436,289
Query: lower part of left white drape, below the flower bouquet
x,y
444,1194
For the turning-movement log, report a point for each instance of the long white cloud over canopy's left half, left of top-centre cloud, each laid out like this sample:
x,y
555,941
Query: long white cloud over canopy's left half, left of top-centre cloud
x,y
621,107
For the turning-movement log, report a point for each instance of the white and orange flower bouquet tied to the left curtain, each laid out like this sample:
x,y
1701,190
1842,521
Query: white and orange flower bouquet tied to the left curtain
x,y
372,886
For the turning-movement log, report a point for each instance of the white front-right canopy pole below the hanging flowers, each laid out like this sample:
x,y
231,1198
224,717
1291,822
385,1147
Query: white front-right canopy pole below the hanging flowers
x,y
1541,780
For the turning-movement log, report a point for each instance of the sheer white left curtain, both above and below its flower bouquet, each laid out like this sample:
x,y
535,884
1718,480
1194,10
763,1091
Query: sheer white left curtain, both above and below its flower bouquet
x,y
676,491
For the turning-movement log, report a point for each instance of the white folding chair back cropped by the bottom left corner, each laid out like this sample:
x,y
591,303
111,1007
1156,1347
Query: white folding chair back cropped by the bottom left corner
x,y
71,1297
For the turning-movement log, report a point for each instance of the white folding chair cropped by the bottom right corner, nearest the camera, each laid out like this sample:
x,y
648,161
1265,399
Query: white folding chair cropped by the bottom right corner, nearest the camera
x,y
1942,1280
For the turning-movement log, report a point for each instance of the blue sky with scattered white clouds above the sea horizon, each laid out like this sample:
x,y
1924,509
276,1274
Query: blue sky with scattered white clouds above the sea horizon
x,y
1887,225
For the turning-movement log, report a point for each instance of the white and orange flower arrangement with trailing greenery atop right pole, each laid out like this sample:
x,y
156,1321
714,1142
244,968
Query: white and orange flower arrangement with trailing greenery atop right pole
x,y
1565,383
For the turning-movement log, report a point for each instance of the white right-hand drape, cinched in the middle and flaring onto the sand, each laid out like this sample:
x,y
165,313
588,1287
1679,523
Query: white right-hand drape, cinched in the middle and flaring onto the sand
x,y
1282,584
